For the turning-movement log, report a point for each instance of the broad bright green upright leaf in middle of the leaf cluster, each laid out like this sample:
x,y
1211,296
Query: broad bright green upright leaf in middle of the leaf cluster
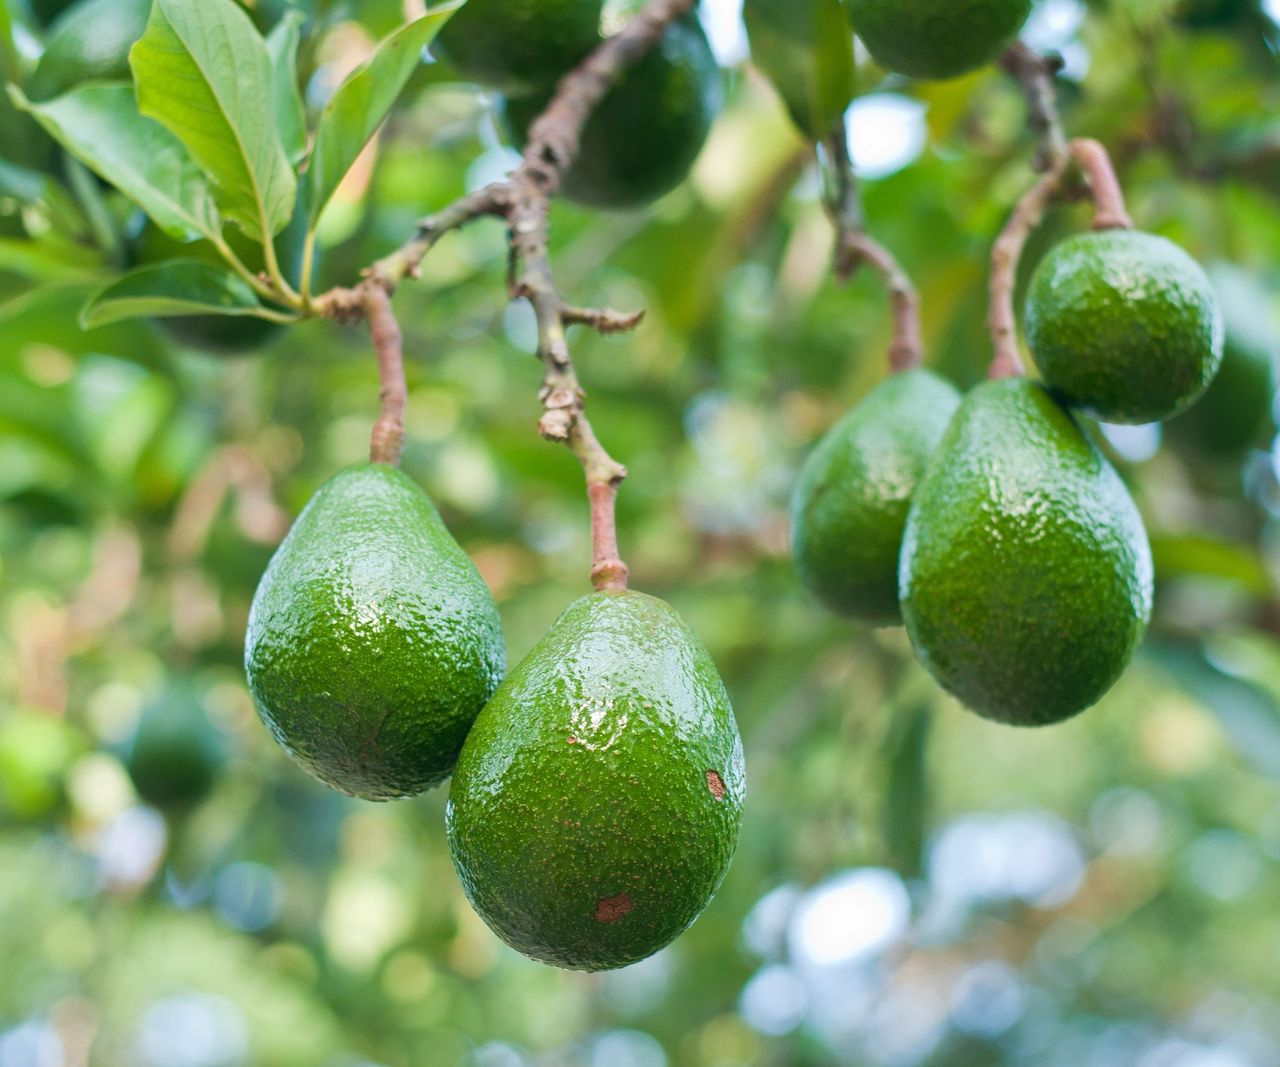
x,y
204,72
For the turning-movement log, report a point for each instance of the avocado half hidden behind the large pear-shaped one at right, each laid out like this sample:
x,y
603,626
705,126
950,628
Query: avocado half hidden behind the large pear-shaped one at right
x,y
851,503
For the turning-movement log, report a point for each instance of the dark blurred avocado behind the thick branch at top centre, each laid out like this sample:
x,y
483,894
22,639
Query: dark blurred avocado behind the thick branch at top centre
x,y
646,135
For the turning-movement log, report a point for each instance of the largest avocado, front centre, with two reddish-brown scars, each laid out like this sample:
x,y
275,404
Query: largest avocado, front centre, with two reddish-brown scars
x,y
597,803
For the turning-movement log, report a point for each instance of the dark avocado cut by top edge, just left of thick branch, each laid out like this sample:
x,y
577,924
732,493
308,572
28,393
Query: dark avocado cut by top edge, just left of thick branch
x,y
520,48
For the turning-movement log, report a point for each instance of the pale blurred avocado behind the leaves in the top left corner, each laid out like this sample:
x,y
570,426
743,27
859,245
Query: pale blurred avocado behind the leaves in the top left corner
x,y
89,43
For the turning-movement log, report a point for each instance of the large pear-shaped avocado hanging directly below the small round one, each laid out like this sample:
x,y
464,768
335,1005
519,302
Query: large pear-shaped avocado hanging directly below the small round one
x,y
1026,573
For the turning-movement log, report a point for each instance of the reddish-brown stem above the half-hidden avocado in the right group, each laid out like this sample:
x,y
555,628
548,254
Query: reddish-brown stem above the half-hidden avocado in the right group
x,y
854,248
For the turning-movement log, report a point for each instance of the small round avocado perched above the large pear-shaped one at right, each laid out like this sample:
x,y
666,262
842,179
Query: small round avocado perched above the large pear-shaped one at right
x,y
1124,326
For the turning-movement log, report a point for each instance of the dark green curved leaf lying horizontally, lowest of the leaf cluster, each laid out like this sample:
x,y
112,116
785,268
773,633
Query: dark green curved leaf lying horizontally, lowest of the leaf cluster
x,y
176,287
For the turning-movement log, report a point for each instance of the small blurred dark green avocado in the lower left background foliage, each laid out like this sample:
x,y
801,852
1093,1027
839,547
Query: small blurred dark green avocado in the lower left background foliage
x,y
176,754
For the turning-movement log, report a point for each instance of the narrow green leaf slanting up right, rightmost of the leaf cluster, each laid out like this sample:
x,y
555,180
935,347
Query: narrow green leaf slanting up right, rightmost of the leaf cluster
x,y
351,118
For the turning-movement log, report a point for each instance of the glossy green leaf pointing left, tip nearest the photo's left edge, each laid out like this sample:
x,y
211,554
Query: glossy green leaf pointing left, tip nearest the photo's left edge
x,y
102,127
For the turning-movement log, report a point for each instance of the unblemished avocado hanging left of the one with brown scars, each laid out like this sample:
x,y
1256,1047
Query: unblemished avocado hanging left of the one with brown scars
x,y
373,643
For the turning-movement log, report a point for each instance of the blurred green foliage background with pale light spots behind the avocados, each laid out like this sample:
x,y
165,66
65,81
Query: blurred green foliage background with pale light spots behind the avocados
x,y
915,886
